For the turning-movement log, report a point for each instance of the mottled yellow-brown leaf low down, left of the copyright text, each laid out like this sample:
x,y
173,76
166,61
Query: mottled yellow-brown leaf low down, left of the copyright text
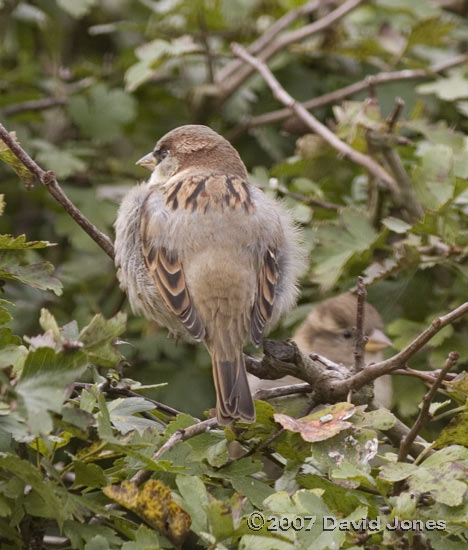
x,y
154,504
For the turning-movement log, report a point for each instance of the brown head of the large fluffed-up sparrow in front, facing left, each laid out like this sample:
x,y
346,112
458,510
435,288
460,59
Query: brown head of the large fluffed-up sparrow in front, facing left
x,y
193,147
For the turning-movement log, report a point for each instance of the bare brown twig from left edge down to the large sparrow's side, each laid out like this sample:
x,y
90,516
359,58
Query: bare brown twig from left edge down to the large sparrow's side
x,y
50,182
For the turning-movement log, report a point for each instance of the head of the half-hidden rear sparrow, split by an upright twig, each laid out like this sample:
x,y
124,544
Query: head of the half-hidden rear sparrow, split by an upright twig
x,y
330,330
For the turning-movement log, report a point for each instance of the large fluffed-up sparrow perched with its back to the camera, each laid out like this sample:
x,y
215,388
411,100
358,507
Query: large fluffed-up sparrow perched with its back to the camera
x,y
204,253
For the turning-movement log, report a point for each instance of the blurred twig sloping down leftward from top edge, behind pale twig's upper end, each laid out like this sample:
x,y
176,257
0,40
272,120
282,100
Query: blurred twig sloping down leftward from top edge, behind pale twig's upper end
x,y
230,85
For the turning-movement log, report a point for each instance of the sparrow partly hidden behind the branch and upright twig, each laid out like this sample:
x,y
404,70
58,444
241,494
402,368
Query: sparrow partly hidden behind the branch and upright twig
x,y
329,330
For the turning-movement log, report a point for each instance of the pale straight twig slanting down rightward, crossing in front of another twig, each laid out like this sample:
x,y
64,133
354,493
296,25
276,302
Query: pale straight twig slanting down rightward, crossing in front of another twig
x,y
343,148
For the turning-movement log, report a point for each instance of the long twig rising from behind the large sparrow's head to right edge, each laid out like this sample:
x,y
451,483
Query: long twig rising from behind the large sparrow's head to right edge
x,y
343,93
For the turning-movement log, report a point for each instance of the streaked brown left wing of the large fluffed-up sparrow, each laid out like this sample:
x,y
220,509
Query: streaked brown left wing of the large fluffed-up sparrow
x,y
168,275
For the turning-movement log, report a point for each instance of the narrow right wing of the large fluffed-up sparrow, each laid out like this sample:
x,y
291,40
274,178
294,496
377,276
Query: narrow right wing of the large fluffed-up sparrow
x,y
264,301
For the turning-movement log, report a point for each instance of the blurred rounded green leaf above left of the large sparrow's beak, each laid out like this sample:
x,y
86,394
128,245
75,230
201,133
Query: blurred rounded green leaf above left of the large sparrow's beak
x,y
101,113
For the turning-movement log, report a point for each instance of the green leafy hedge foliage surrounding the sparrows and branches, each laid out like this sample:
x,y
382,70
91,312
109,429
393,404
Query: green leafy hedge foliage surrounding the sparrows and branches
x,y
127,71
